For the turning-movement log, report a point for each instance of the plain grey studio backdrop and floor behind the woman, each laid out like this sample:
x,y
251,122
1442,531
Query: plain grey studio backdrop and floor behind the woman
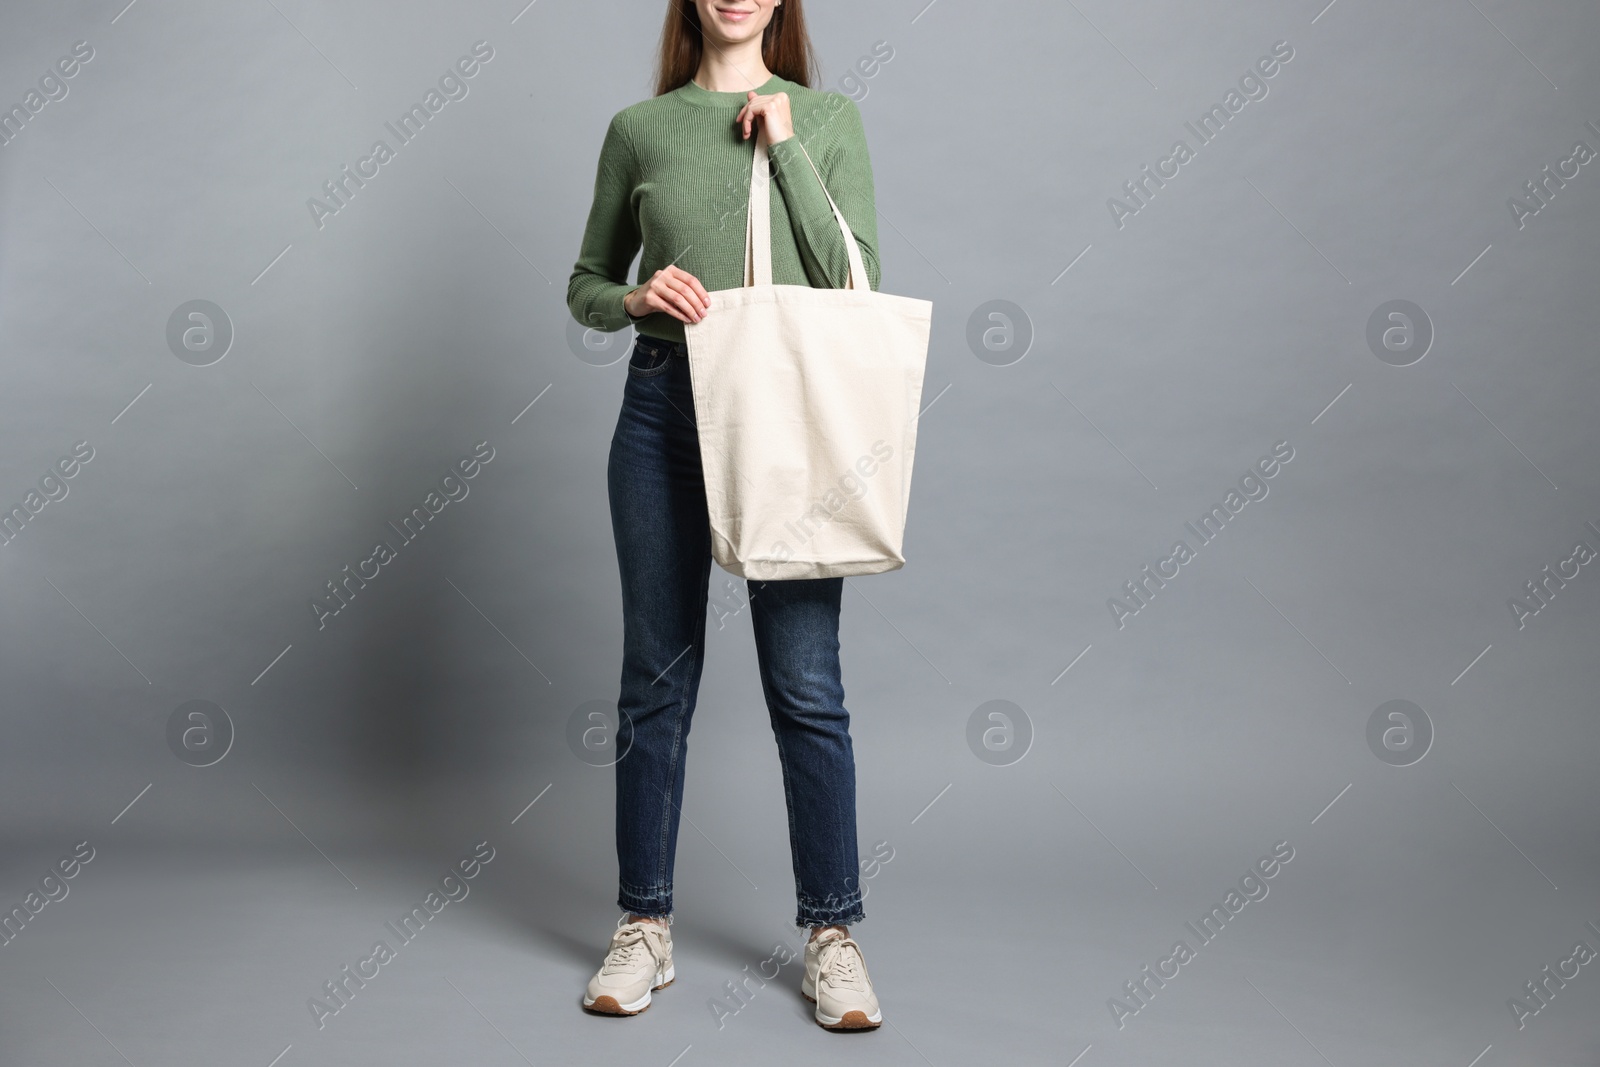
x,y
1230,714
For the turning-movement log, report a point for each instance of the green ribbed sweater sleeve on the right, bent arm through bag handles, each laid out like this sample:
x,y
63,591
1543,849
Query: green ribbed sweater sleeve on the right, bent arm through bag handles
x,y
847,170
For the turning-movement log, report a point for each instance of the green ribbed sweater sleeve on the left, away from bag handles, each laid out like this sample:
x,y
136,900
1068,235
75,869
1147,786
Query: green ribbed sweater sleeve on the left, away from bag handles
x,y
599,281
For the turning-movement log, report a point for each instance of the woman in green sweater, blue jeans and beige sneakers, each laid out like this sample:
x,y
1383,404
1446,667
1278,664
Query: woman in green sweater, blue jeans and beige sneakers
x,y
673,183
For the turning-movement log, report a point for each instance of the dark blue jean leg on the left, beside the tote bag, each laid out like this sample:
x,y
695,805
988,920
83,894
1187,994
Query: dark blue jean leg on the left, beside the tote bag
x,y
663,546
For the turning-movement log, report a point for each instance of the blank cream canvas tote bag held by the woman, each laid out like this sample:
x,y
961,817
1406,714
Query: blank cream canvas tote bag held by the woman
x,y
807,409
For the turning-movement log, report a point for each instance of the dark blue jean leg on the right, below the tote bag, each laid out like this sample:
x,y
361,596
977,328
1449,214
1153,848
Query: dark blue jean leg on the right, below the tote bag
x,y
798,650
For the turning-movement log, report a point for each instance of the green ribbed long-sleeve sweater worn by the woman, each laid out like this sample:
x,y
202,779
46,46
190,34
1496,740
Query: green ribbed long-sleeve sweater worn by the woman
x,y
674,180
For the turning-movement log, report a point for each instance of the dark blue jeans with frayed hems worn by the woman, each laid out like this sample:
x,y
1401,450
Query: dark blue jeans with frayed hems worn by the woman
x,y
663,551
